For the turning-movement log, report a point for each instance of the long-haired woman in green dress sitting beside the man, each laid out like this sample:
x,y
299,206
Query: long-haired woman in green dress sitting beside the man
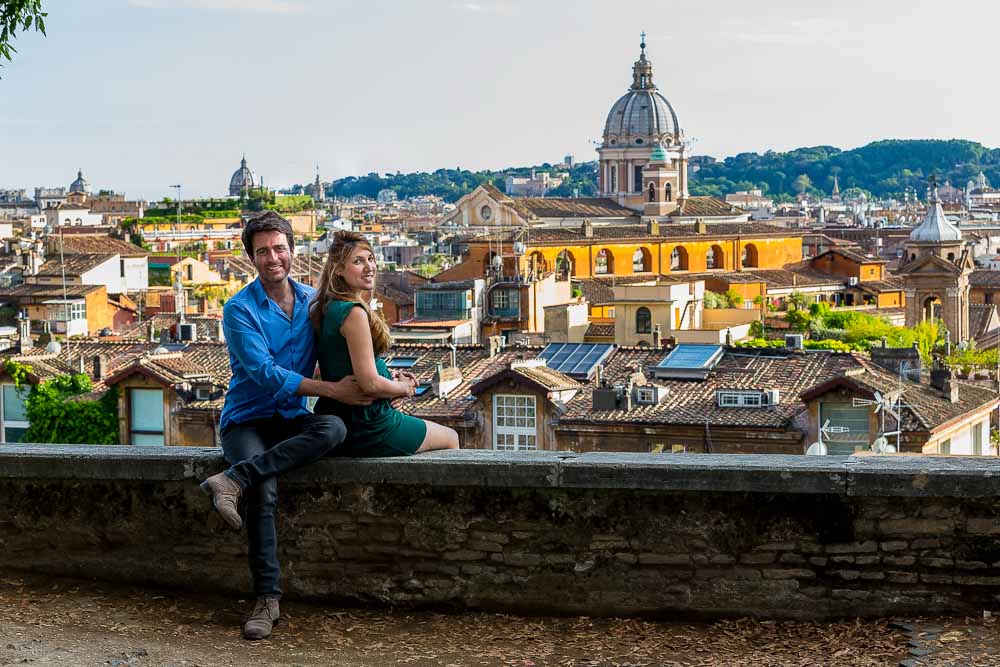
x,y
350,339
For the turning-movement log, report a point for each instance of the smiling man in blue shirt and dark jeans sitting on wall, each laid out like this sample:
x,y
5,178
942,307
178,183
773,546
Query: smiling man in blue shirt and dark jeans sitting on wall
x,y
265,426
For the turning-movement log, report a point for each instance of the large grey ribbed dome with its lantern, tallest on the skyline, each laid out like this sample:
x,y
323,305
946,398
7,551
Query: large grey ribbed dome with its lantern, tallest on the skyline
x,y
642,115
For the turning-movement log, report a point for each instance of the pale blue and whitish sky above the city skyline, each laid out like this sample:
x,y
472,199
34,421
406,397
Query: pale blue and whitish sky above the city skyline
x,y
143,94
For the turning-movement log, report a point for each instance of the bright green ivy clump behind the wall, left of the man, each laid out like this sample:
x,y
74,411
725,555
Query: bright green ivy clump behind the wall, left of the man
x,y
56,416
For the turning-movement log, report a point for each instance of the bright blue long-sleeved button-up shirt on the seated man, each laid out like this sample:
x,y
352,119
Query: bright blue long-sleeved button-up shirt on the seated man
x,y
269,352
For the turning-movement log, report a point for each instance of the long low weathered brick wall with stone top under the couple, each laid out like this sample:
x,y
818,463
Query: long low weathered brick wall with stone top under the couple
x,y
597,534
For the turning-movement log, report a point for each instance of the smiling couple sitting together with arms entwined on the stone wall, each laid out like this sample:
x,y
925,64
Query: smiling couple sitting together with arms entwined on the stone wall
x,y
277,330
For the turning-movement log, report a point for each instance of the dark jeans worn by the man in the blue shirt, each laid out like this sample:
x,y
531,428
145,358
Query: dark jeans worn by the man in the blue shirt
x,y
259,450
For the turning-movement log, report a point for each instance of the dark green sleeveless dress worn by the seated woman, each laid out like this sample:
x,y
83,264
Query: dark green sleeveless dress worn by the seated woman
x,y
372,430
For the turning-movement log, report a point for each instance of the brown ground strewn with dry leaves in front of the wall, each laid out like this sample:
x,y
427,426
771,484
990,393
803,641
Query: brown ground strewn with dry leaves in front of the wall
x,y
49,621
